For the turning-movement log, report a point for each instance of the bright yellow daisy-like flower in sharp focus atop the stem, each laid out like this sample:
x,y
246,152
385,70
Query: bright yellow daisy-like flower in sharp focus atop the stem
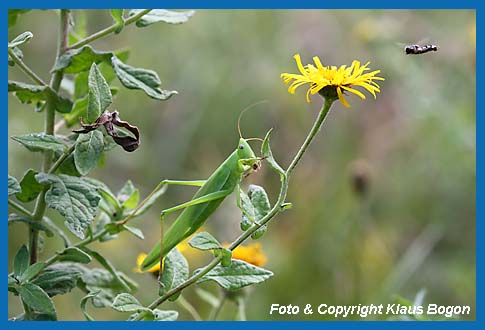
x,y
331,81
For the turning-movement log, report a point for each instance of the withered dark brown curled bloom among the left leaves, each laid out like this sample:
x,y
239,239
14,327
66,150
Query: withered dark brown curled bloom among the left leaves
x,y
108,119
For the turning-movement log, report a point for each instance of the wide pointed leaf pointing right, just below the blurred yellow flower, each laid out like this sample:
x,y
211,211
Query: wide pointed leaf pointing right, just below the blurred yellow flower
x,y
239,274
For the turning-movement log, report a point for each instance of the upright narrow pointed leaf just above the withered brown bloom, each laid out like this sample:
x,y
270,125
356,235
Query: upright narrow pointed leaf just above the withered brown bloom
x,y
99,96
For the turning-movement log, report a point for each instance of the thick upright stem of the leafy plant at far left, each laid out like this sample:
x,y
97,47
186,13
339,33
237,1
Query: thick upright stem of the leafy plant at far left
x,y
50,115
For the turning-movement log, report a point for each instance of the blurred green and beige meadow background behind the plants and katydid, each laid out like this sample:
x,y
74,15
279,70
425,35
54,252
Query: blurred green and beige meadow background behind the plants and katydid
x,y
411,228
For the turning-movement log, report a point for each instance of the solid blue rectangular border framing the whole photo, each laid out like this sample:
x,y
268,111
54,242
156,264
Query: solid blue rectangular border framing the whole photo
x,y
253,4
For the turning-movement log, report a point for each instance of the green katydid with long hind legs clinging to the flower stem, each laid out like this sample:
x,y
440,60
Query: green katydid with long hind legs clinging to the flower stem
x,y
212,192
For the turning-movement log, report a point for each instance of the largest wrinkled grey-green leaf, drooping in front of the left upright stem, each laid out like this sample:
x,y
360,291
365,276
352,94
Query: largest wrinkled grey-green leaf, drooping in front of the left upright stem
x,y
73,198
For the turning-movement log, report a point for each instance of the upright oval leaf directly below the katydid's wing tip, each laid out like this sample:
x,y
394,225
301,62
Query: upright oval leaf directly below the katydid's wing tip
x,y
175,272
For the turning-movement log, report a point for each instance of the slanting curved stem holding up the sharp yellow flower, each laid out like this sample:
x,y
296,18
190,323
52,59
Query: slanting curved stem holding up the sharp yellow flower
x,y
275,210
